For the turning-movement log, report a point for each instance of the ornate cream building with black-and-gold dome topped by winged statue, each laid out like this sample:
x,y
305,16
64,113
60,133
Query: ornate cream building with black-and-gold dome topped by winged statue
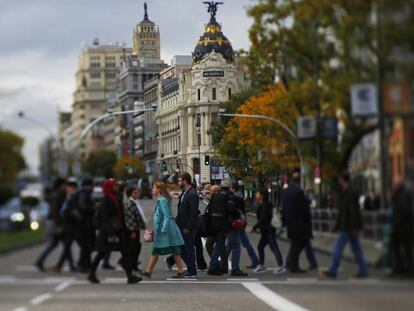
x,y
189,102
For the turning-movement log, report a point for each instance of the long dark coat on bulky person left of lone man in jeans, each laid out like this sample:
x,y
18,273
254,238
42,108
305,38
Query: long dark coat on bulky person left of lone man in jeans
x,y
296,213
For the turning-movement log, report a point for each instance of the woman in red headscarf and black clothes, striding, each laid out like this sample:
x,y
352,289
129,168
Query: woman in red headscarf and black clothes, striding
x,y
112,233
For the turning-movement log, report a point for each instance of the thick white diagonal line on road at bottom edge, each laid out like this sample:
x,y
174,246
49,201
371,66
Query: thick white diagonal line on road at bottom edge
x,y
272,299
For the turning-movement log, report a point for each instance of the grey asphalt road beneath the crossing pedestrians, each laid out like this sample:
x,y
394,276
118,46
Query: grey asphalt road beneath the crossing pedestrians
x,y
22,288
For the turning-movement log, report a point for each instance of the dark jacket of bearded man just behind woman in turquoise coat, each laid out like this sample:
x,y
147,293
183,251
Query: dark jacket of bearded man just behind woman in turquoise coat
x,y
187,215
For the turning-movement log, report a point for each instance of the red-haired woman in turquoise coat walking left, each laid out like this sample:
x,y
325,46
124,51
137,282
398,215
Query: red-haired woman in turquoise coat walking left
x,y
167,235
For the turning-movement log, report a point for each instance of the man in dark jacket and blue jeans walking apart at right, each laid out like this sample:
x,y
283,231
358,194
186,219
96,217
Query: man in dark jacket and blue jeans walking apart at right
x,y
348,224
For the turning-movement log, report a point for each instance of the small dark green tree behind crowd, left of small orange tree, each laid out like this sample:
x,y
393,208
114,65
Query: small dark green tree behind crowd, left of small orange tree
x,y
100,163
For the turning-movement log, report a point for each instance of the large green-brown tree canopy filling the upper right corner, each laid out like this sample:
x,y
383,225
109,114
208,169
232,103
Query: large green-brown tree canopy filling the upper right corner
x,y
319,48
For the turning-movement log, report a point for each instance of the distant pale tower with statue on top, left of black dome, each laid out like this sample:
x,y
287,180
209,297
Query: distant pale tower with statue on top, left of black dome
x,y
146,39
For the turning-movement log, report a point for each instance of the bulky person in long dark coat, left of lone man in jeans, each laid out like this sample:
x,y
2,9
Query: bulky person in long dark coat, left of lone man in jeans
x,y
296,216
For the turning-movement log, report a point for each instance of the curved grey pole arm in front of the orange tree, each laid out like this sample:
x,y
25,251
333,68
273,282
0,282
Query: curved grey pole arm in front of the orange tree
x,y
290,133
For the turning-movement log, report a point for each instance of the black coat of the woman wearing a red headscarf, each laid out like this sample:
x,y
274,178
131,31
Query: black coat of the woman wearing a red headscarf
x,y
111,223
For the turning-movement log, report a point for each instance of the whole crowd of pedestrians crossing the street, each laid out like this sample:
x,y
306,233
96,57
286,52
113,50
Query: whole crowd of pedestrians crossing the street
x,y
115,222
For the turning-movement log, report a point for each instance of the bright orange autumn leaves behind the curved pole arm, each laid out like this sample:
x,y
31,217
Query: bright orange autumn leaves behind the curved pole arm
x,y
263,136
